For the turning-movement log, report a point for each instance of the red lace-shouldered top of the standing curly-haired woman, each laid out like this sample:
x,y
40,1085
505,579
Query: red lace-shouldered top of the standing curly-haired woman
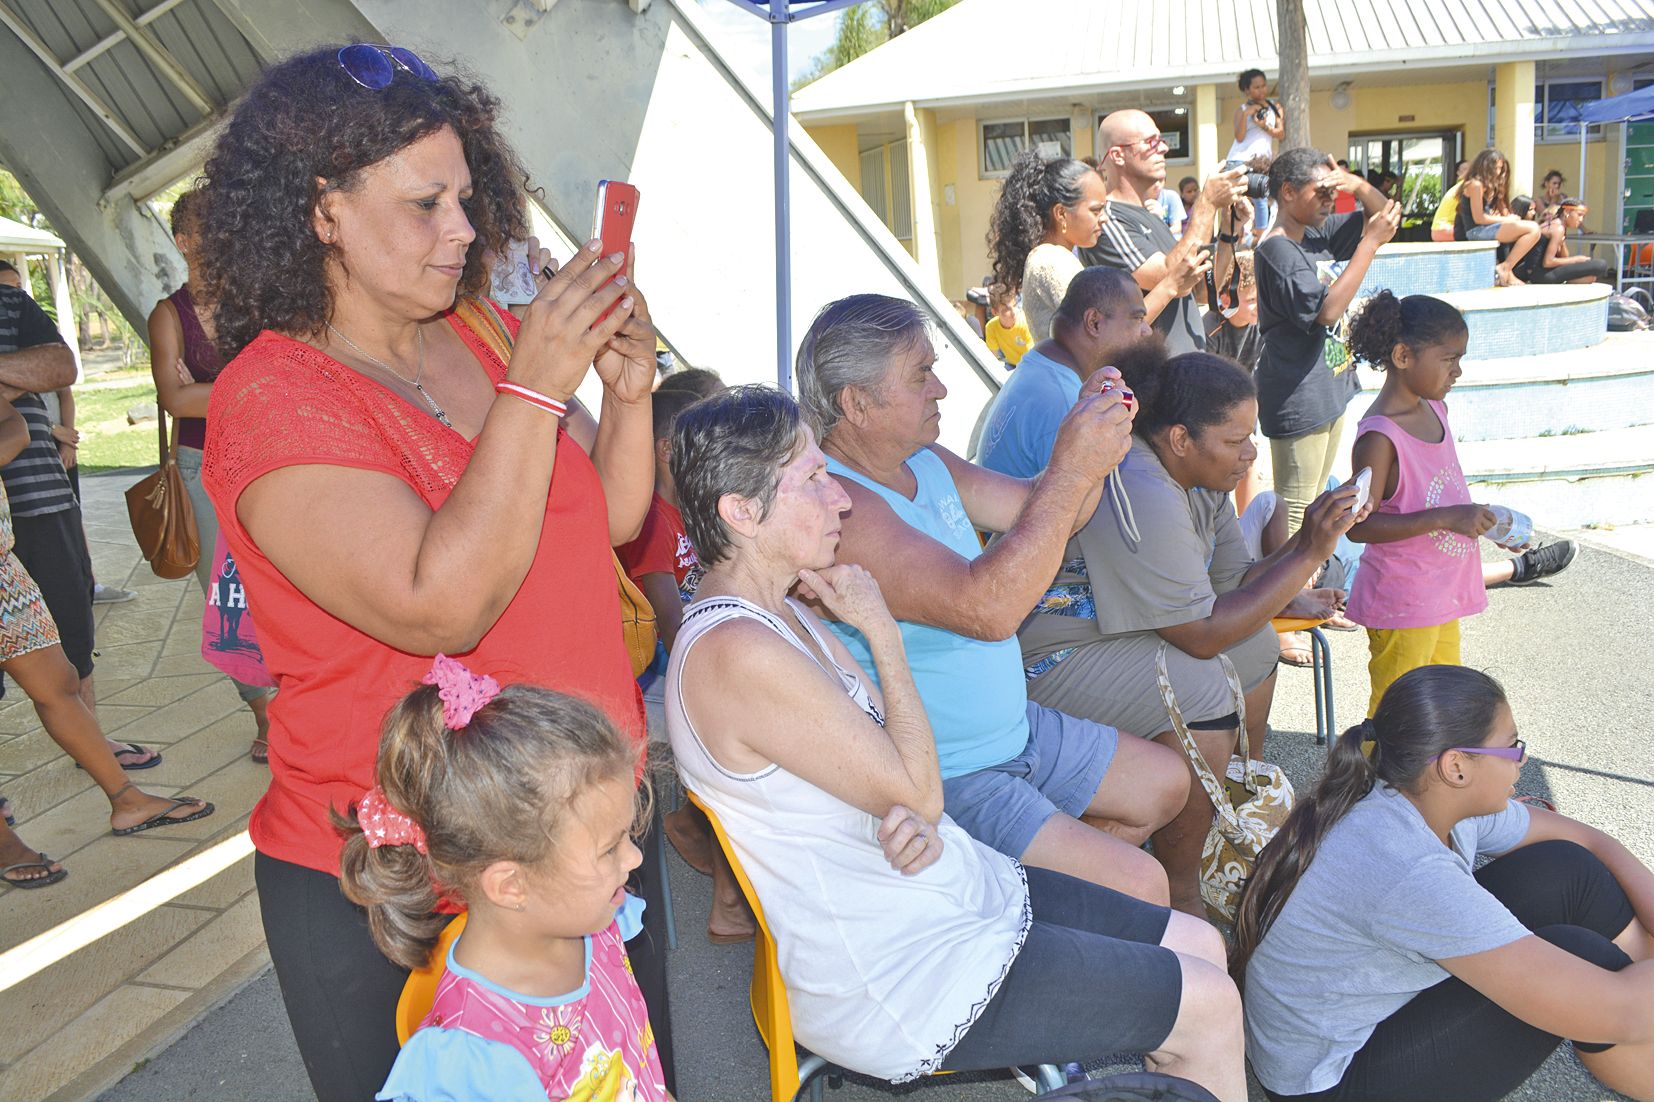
x,y
282,403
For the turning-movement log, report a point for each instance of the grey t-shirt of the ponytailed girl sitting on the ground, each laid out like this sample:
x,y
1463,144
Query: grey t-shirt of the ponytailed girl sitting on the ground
x,y
1362,932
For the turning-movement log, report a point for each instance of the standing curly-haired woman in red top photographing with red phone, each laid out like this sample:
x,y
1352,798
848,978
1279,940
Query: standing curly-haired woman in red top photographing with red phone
x,y
383,501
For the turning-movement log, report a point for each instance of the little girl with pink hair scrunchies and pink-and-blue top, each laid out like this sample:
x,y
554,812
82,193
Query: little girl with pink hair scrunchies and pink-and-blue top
x,y
519,807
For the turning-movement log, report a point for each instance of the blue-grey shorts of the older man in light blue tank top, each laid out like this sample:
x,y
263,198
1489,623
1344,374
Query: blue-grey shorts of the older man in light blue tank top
x,y
1059,770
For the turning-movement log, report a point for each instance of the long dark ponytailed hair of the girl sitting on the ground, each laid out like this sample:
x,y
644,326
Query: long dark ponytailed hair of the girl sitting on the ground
x,y
1422,716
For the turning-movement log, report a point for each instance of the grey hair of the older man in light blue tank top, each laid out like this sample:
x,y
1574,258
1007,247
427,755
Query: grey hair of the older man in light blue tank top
x,y
851,345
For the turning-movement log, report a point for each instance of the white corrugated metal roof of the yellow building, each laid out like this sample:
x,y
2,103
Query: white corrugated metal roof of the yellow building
x,y
1074,46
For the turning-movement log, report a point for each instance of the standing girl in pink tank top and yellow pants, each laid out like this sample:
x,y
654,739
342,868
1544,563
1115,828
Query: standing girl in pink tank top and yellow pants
x,y
1422,572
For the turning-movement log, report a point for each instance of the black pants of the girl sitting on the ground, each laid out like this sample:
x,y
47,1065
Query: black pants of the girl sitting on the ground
x,y
1455,1045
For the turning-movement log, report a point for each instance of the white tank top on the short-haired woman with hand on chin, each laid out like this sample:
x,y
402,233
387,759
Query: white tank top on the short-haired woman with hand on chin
x,y
886,974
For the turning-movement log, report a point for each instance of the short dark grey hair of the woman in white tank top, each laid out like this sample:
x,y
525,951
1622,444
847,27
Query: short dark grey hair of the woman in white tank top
x,y
734,443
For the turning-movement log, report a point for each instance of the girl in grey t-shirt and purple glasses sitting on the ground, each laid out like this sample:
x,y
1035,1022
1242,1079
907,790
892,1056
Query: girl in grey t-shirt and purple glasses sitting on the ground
x,y
1380,969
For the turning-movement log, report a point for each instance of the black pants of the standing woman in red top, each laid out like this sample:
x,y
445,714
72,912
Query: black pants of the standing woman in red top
x,y
342,994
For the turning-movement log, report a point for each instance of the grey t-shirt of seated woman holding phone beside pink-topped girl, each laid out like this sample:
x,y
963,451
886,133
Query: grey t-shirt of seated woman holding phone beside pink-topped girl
x,y
1192,552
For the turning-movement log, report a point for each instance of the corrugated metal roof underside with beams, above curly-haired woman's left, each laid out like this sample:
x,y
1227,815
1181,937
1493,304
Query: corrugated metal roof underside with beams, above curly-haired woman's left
x,y
85,41
